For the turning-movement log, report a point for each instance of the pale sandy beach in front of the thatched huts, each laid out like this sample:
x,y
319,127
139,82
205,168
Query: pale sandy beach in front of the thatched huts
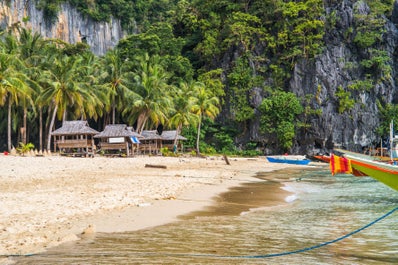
x,y
46,201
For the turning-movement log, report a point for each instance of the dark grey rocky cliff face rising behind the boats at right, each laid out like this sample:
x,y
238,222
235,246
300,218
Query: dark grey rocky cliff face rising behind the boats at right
x,y
339,66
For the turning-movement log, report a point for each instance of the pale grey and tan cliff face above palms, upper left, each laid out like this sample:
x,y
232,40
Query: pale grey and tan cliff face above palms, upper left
x,y
71,26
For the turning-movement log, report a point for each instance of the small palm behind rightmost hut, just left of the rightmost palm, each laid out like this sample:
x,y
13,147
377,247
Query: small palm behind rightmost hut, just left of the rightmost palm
x,y
183,109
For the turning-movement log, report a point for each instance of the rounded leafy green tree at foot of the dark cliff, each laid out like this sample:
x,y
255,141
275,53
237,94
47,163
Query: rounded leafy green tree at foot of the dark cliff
x,y
279,114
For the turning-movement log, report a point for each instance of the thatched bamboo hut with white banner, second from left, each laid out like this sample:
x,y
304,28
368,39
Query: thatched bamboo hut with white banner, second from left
x,y
117,137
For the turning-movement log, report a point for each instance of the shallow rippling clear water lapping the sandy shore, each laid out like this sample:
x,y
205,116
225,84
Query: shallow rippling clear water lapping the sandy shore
x,y
320,208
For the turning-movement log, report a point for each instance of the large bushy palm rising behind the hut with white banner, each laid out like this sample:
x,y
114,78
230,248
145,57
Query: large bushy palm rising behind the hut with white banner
x,y
151,100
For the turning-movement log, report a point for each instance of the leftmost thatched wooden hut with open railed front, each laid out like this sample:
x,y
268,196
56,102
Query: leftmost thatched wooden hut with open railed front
x,y
74,137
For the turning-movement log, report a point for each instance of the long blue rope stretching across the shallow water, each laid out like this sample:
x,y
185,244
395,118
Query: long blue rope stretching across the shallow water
x,y
255,256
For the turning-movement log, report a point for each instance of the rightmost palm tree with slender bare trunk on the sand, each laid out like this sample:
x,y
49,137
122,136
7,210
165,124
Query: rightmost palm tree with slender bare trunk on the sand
x,y
206,105
